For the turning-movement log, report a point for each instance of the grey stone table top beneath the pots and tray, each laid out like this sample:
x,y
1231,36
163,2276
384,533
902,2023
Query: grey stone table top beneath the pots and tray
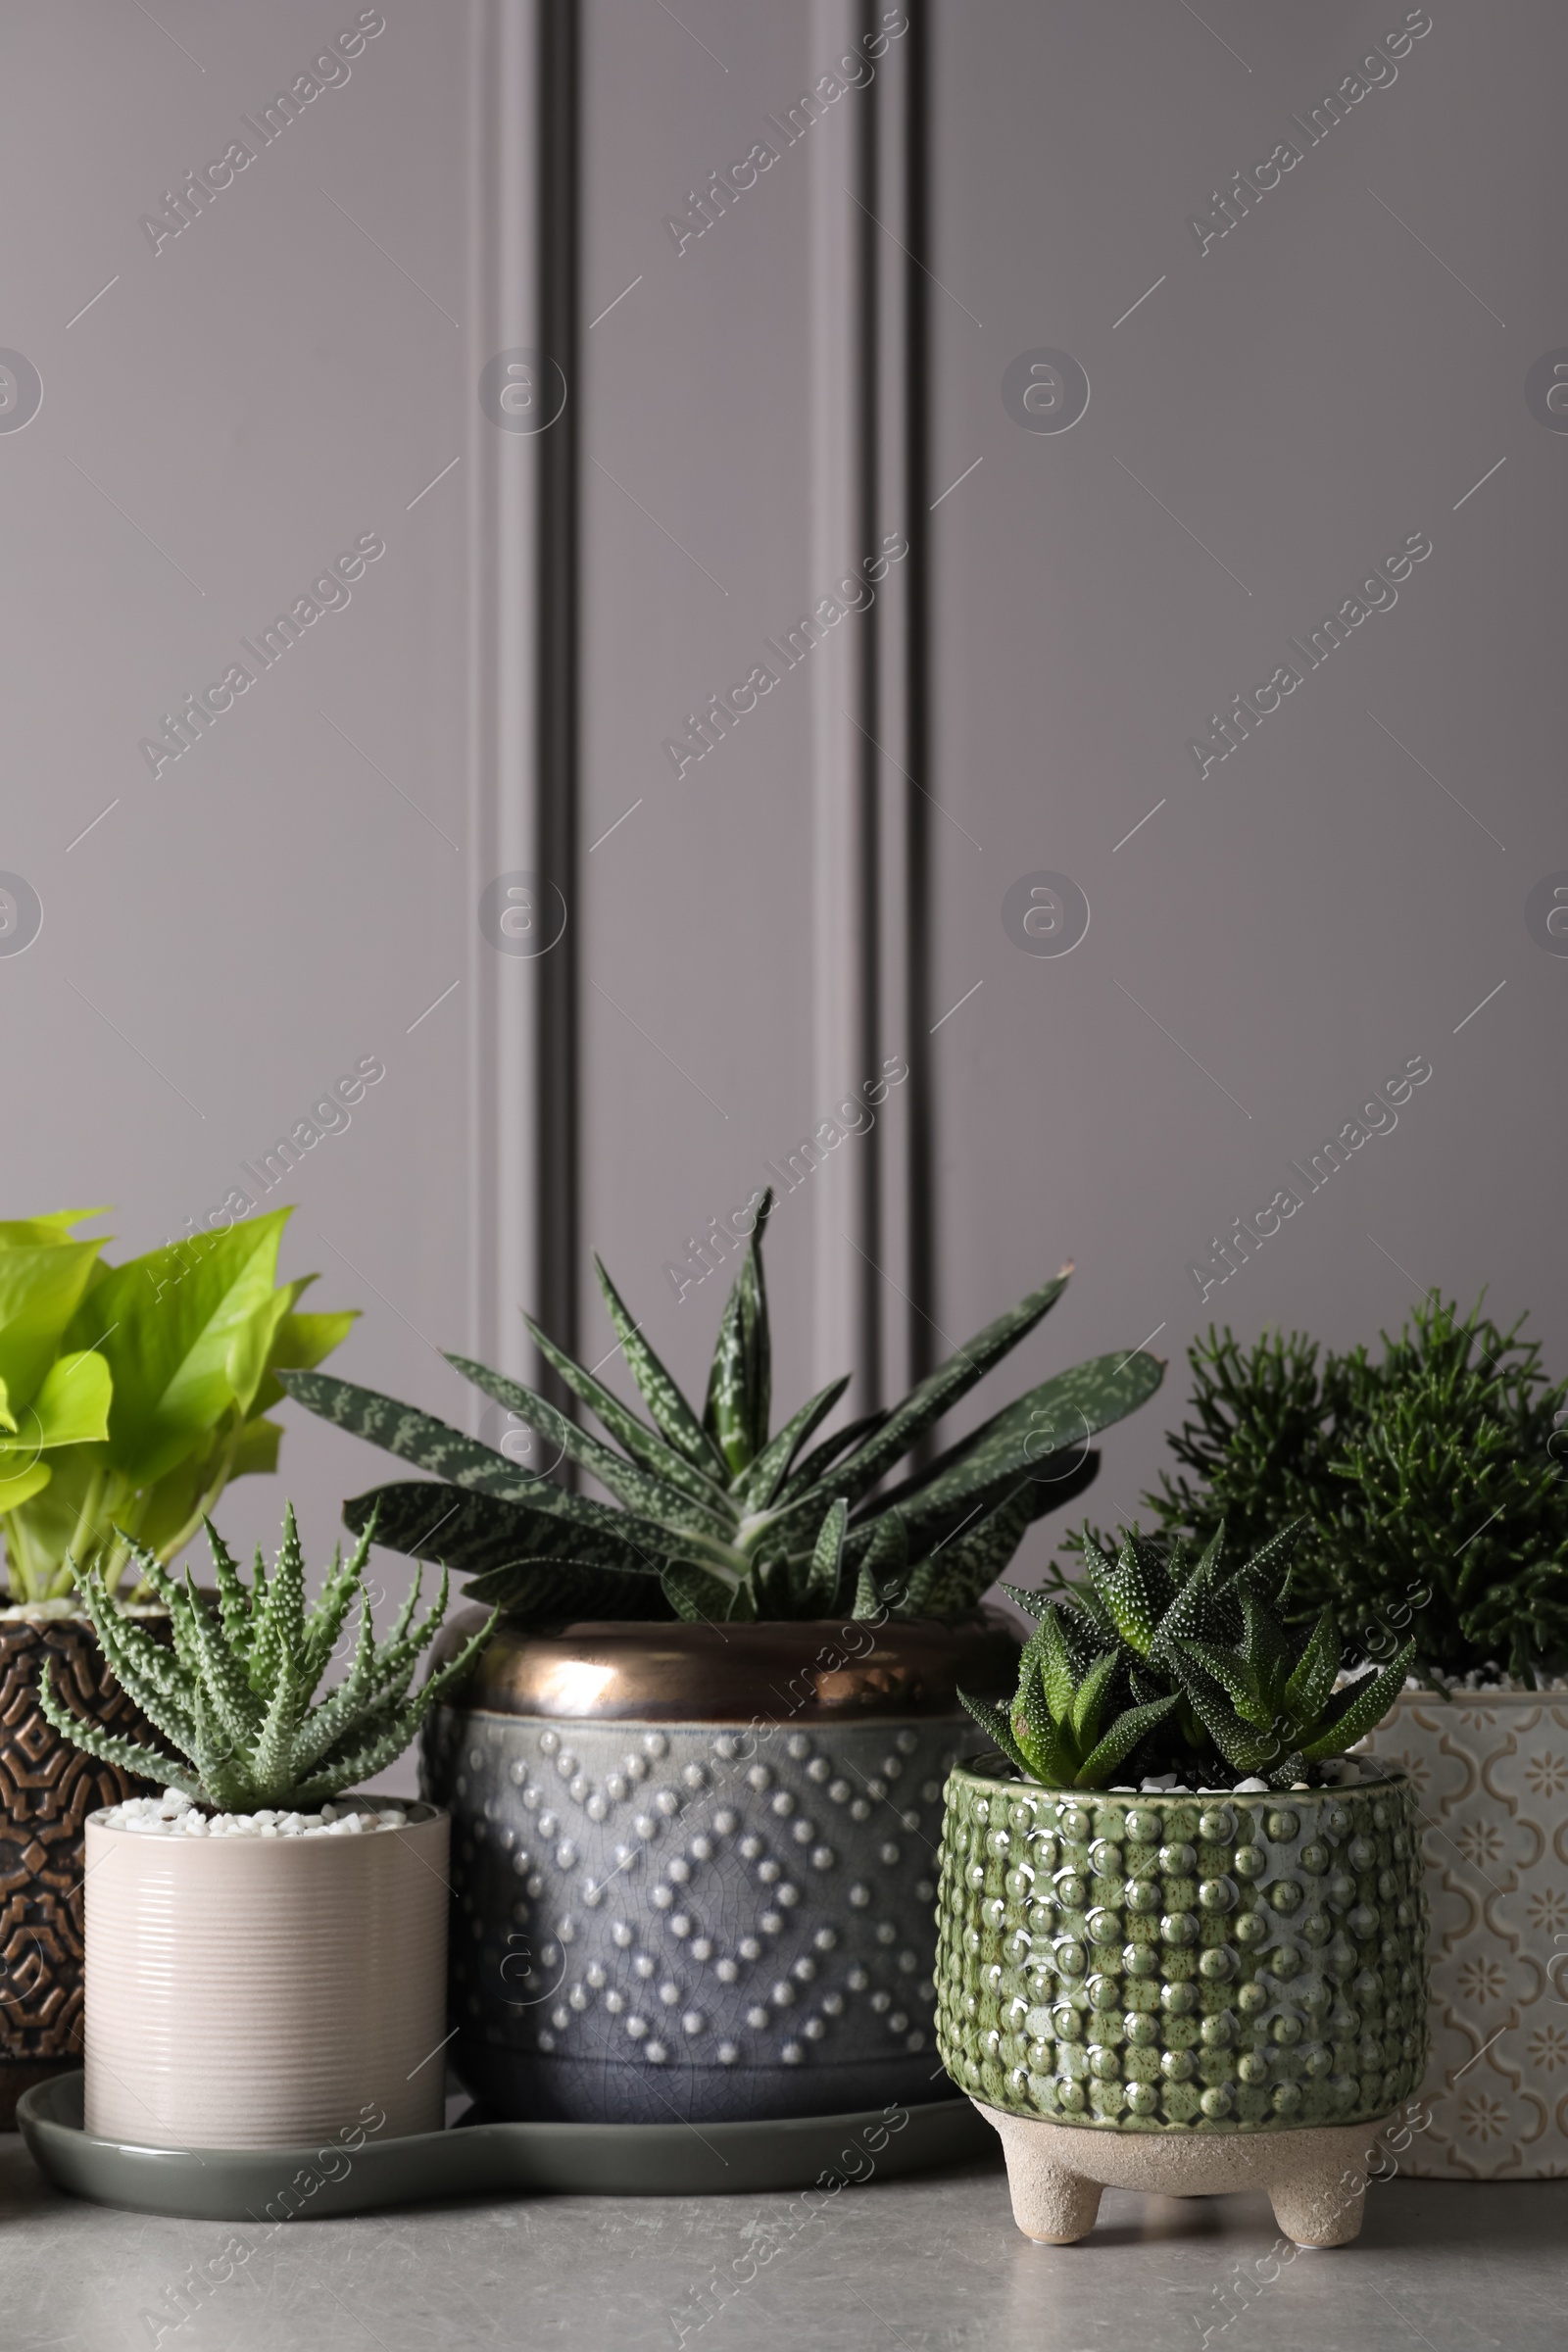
x,y
930,2266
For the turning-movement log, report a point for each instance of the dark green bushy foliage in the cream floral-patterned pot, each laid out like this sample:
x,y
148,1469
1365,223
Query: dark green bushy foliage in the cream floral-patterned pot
x,y
1430,1481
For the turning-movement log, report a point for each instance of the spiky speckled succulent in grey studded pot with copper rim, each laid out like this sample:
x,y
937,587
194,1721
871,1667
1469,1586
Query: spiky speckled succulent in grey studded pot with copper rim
x,y
697,1777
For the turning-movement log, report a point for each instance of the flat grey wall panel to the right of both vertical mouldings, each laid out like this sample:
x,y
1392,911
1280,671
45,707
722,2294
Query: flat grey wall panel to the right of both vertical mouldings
x,y
1325,904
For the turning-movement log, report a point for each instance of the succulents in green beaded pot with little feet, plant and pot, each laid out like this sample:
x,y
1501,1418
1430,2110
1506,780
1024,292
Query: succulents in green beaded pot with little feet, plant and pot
x,y
1181,1942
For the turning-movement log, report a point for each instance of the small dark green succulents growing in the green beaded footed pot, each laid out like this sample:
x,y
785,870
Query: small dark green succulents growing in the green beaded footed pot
x,y
1191,1671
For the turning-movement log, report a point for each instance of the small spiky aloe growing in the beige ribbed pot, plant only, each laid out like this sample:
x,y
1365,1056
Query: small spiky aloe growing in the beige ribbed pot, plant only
x,y
236,1692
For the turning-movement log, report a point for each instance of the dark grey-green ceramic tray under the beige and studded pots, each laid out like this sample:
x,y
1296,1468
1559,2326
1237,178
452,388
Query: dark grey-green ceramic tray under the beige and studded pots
x,y
587,2160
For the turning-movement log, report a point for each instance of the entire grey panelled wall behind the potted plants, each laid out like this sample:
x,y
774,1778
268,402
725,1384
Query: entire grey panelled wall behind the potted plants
x,y
1278,415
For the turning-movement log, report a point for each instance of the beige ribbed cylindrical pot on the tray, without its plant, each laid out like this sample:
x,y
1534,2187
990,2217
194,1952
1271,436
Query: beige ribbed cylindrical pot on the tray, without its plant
x,y
262,1993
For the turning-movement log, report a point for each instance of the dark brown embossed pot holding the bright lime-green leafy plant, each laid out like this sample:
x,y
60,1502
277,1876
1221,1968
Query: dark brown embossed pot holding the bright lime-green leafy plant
x,y
48,1791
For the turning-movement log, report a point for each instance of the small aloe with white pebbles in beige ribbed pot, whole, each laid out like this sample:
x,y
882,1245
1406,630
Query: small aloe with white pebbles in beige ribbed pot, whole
x,y
264,1956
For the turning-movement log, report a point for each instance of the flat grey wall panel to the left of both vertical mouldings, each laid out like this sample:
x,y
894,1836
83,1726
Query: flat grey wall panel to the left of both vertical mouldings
x,y
227,417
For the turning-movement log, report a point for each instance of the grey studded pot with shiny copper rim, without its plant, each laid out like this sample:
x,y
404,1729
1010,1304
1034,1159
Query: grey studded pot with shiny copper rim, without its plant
x,y
695,1869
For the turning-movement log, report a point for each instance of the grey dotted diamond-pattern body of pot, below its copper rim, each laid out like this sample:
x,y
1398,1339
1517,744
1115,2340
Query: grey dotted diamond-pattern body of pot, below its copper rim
x,y
688,1918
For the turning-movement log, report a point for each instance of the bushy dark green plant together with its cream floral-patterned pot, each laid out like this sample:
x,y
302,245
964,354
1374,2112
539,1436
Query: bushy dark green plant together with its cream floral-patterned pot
x,y
1435,1488
